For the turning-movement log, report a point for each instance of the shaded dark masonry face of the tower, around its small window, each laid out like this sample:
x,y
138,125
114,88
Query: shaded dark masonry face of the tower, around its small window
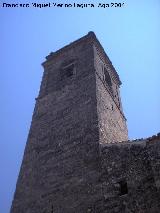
x,y
60,168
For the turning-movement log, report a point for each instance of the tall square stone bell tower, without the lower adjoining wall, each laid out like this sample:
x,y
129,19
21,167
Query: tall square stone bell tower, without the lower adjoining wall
x,y
77,109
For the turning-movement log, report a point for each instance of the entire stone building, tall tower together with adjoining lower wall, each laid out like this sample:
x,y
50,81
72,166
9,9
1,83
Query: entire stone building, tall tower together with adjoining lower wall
x,y
71,164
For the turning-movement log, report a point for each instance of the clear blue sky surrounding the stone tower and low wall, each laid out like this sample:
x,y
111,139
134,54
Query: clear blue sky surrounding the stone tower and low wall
x,y
130,36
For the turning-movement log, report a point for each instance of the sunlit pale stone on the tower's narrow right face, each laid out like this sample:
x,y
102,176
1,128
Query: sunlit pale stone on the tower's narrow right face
x,y
112,123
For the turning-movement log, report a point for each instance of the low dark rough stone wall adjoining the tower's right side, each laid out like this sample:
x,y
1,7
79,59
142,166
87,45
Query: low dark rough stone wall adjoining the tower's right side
x,y
137,166
